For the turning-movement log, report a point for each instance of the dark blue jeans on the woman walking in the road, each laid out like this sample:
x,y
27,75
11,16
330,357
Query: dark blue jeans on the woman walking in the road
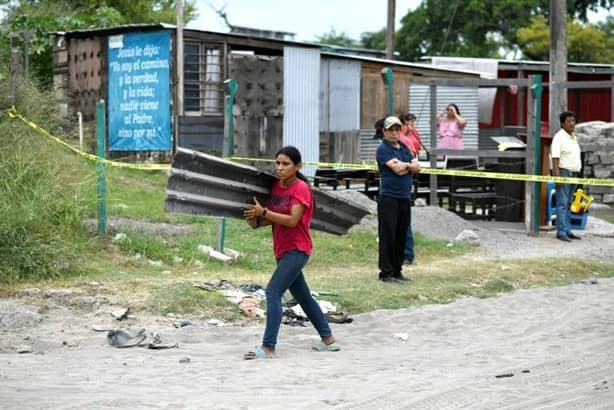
x,y
289,276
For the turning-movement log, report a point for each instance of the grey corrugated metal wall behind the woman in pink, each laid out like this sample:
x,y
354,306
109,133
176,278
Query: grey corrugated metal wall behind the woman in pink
x,y
466,98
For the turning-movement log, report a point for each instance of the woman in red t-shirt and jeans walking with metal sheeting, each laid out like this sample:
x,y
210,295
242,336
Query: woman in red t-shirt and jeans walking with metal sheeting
x,y
289,212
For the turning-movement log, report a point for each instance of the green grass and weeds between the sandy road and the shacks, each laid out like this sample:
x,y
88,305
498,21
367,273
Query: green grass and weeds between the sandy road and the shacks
x,y
47,192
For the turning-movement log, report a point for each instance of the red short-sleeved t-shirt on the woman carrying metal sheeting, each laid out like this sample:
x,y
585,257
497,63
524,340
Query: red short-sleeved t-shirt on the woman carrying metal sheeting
x,y
286,239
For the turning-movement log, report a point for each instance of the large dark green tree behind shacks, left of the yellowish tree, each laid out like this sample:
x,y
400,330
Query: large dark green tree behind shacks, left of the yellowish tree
x,y
475,28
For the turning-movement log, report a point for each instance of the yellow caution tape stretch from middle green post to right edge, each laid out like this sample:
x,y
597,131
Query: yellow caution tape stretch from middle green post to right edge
x,y
460,173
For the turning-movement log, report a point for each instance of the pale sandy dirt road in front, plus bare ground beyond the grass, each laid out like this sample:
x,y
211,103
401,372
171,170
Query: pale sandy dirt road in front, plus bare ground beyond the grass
x,y
530,349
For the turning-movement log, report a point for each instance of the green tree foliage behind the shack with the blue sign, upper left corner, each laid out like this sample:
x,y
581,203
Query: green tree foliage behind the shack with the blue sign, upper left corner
x,y
43,17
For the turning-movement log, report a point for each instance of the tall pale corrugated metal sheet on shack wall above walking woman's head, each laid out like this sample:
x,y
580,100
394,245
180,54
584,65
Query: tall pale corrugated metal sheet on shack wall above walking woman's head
x,y
302,103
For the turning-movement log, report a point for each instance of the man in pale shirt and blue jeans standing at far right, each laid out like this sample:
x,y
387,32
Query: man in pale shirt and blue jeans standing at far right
x,y
566,162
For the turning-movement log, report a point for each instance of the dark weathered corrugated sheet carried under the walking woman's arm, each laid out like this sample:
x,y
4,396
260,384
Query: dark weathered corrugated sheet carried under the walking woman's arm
x,y
207,185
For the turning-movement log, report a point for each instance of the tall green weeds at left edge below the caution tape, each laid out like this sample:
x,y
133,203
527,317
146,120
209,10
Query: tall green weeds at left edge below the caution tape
x,y
40,209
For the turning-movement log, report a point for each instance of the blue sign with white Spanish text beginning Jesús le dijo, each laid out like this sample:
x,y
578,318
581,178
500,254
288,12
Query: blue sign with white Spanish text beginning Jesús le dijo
x,y
139,92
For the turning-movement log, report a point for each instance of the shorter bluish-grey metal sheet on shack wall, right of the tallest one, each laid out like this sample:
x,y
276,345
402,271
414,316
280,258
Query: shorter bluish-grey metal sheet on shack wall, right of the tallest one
x,y
339,95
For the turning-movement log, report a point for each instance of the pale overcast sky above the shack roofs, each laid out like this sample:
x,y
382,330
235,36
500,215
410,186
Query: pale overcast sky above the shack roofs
x,y
306,18
